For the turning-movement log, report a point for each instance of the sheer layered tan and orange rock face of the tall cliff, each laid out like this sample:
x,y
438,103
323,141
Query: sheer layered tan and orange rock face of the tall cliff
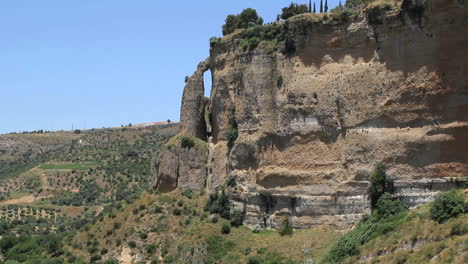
x,y
389,87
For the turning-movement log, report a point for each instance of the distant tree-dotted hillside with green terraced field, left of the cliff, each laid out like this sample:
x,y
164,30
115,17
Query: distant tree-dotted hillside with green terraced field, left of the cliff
x,y
77,168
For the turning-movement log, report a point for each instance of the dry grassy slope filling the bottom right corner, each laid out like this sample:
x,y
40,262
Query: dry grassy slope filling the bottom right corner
x,y
419,240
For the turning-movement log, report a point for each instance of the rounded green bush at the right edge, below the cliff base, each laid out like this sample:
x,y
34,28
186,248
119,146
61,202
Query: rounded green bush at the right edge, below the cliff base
x,y
447,205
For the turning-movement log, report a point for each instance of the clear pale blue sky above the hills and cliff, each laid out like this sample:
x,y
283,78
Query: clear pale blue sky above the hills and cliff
x,y
104,62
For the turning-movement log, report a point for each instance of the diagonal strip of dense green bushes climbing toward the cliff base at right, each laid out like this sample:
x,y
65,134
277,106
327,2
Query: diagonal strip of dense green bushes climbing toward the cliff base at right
x,y
367,229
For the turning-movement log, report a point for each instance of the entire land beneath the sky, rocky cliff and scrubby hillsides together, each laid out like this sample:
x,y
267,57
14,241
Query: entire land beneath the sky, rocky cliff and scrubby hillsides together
x,y
327,138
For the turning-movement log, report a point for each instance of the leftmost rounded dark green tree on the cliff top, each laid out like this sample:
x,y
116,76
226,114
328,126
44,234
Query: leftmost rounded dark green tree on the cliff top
x,y
247,19
